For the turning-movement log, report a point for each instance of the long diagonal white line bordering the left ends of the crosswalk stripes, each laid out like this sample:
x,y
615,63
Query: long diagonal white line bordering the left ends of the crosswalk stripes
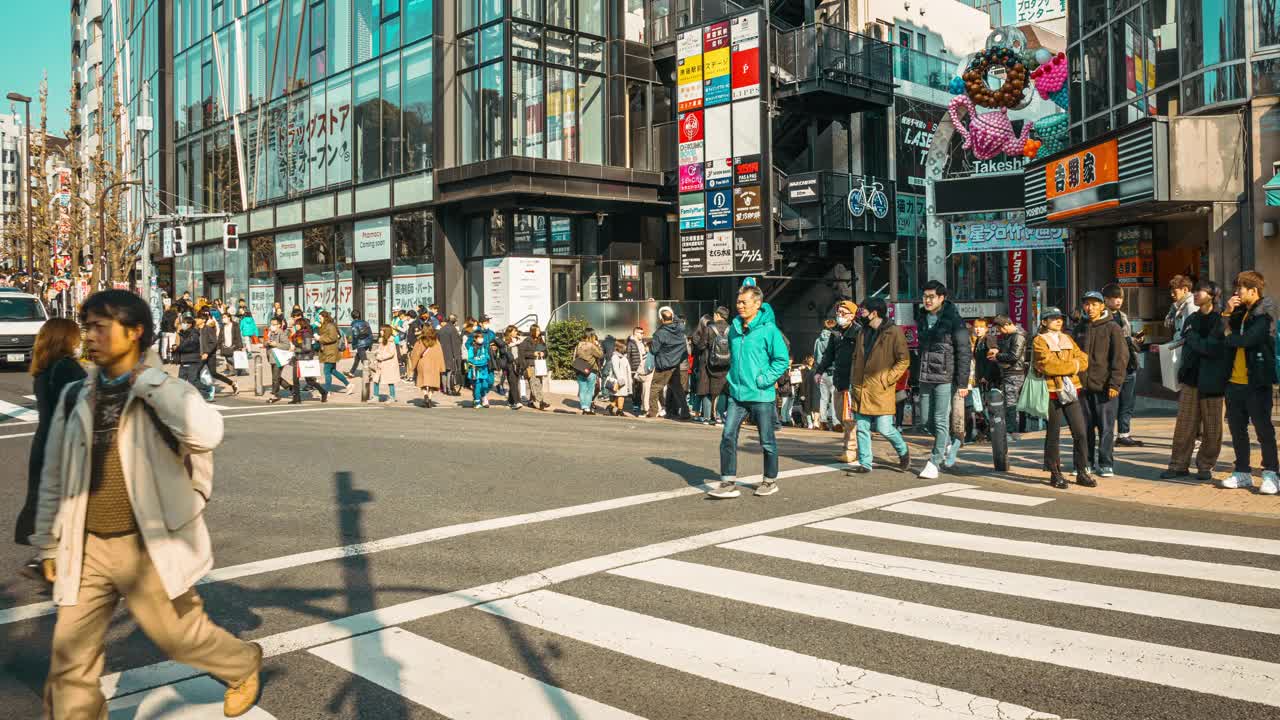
x,y
323,634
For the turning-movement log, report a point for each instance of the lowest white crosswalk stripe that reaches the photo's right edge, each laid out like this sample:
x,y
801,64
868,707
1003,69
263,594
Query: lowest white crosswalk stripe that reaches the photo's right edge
x,y
1241,678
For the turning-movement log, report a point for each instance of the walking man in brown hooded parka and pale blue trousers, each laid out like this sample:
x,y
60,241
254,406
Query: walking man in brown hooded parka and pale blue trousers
x,y
880,361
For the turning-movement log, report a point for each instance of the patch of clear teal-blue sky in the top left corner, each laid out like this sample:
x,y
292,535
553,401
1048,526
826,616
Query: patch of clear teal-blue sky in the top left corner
x,y
38,38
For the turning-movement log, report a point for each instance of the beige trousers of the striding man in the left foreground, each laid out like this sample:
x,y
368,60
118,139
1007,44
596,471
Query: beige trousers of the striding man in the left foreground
x,y
120,568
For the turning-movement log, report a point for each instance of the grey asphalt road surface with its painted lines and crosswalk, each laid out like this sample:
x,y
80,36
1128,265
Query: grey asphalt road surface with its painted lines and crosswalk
x,y
495,564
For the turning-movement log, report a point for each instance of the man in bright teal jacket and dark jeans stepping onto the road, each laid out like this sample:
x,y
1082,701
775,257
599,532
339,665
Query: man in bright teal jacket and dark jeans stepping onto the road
x,y
758,357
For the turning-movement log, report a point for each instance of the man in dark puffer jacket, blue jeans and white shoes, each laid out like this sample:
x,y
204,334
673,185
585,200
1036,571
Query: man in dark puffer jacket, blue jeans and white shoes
x,y
945,364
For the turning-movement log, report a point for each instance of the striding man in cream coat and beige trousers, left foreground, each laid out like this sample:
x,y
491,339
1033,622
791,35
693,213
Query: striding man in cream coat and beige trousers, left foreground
x,y
129,470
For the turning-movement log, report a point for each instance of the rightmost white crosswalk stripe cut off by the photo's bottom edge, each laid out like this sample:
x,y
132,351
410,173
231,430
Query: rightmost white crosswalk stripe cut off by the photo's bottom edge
x,y
783,675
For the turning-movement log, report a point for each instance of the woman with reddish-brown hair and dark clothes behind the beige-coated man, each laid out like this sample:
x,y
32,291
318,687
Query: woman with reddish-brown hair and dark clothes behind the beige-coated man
x,y
53,368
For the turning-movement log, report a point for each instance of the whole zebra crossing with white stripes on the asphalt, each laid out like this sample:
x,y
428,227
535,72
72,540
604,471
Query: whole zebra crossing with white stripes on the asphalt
x,y
875,578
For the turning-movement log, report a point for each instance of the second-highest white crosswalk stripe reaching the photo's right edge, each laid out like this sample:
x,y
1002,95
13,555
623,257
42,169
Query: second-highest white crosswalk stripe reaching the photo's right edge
x,y
1153,564
